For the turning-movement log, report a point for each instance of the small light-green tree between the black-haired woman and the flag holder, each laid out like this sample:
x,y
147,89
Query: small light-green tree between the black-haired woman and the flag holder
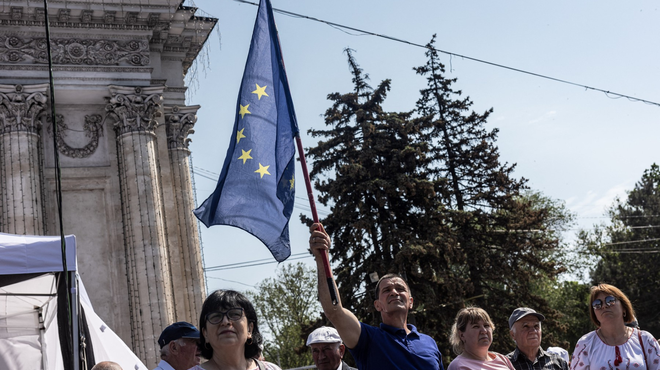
x,y
286,305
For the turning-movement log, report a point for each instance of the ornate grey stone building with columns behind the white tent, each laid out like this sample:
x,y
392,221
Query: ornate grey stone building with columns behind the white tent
x,y
123,127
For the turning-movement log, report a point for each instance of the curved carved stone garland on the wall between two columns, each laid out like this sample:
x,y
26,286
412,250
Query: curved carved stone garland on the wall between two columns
x,y
93,129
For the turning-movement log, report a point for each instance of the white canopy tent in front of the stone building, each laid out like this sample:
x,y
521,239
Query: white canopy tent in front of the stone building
x,y
30,337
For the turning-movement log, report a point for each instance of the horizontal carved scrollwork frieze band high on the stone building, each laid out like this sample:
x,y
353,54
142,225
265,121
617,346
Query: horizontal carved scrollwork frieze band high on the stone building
x,y
15,49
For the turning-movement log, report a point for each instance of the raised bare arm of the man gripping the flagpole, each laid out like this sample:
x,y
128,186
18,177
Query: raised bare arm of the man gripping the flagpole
x,y
343,320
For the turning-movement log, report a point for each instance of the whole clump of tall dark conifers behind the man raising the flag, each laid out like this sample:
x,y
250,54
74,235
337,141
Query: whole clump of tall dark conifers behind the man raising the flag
x,y
423,194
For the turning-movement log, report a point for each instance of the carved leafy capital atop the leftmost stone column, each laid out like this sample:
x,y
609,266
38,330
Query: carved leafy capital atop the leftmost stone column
x,y
20,105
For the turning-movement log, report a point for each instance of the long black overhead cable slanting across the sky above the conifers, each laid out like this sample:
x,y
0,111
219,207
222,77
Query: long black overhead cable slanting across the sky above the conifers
x,y
609,94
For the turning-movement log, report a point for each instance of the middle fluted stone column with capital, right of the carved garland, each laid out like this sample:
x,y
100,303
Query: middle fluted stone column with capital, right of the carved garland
x,y
149,277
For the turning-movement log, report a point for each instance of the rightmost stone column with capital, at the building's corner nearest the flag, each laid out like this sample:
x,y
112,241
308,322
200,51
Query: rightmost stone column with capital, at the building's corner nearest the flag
x,y
186,255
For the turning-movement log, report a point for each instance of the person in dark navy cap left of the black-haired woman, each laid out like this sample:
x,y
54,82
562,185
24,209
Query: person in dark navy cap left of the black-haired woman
x,y
178,347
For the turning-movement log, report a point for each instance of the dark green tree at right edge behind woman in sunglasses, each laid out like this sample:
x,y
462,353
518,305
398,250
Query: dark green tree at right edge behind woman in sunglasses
x,y
629,250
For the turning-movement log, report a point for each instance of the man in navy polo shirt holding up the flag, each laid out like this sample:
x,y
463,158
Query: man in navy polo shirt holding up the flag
x,y
395,344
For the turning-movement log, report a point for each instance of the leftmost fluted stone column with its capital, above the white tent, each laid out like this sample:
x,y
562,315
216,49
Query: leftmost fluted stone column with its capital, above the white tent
x,y
21,202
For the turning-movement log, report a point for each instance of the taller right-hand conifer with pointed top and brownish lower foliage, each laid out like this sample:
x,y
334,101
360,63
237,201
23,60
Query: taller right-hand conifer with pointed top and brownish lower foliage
x,y
508,238
